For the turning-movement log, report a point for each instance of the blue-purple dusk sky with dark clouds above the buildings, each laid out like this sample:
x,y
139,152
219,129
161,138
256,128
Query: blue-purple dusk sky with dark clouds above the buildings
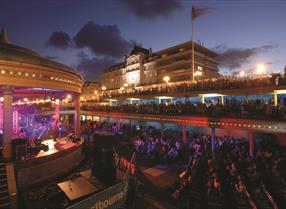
x,y
90,35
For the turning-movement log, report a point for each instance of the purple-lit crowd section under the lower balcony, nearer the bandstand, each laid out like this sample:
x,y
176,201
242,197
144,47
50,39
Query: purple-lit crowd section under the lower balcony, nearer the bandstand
x,y
148,142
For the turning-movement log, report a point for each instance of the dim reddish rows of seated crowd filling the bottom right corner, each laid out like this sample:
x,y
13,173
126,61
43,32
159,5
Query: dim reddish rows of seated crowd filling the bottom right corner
x,y
231,177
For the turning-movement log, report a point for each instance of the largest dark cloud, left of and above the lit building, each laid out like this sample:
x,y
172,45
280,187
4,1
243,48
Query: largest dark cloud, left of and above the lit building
x,y
104,40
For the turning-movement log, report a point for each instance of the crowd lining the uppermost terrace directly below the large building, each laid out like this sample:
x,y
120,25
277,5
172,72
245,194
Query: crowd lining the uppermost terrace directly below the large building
x,y
216,84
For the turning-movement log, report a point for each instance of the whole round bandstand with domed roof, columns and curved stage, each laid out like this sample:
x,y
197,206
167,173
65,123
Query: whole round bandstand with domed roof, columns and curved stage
x,y
27,79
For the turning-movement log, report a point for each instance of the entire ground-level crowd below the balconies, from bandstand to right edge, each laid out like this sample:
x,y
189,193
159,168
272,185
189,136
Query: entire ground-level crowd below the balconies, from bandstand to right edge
x,y
220,179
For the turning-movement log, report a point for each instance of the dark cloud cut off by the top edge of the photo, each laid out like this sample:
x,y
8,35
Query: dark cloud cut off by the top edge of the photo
x,y
150,9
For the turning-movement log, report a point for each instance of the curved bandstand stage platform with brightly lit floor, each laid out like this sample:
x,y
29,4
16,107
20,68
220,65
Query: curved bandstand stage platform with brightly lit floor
x,y
62,157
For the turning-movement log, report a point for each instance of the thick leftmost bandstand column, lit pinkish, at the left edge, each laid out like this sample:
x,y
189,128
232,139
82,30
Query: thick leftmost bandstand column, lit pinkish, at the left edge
x,y
7,122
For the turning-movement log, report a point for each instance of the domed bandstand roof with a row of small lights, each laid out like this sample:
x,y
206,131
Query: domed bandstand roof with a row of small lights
x,y
40,72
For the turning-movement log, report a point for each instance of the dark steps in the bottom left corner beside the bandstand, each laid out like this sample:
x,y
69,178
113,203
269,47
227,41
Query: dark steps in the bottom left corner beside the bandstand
x,y
4,193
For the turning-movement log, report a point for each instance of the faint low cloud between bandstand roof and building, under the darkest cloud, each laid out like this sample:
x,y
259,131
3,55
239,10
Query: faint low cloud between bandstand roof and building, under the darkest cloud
x,y
91,68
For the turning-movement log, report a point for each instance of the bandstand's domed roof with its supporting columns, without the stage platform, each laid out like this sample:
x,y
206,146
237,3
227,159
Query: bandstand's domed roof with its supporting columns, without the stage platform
x,y
27,76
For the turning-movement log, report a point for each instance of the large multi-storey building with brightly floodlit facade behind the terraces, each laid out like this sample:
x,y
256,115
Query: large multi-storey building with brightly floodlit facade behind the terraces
x,y
143,67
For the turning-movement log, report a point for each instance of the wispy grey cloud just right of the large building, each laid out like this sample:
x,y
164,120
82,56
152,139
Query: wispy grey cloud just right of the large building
x,y
233,58
